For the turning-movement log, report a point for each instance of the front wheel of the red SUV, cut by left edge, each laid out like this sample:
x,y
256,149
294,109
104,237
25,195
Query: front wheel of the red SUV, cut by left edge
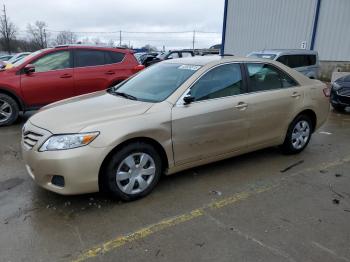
x,y
9,110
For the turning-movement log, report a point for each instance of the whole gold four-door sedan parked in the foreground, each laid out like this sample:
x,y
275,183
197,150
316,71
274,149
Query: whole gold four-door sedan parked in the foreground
x,y
175,115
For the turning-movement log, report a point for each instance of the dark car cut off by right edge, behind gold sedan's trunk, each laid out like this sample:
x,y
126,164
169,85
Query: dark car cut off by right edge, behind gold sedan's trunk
x,y
340,93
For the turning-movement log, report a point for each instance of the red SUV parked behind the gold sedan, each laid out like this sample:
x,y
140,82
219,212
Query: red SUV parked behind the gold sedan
x,y
61,72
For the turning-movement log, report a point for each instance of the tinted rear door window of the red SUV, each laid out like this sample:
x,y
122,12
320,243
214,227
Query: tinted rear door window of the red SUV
x,y
84,58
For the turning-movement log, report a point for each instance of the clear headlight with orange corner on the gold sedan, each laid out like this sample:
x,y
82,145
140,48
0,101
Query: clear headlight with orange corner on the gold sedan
x,y
68,141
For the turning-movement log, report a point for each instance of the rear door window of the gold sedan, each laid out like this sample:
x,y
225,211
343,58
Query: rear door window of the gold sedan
x,y
263,77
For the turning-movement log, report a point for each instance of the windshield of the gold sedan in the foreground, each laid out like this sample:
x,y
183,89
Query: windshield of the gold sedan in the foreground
x,y
155,83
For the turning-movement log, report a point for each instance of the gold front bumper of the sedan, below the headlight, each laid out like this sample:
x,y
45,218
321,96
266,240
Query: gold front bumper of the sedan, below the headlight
x,y
79,167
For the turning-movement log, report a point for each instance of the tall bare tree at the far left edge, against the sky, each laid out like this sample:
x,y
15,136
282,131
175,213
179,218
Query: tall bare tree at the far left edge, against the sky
x,y
7,32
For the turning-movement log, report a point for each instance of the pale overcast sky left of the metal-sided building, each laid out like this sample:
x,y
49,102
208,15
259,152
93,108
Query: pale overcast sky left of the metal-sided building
x,y
92,17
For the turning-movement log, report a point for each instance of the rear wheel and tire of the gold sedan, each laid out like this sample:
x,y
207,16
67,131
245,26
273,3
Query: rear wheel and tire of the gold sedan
x,y
298,135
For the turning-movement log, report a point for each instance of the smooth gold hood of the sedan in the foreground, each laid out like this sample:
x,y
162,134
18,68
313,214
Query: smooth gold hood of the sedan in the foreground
x,y
74,114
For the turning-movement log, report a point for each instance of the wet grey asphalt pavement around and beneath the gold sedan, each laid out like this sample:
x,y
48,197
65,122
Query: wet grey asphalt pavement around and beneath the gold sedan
x,y
262,206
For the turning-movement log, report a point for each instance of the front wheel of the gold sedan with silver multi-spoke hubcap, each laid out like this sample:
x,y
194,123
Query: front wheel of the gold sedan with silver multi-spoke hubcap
x,y
124,177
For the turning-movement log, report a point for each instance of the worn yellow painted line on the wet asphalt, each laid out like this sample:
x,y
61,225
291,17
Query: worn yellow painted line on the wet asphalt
x,y
167,223
